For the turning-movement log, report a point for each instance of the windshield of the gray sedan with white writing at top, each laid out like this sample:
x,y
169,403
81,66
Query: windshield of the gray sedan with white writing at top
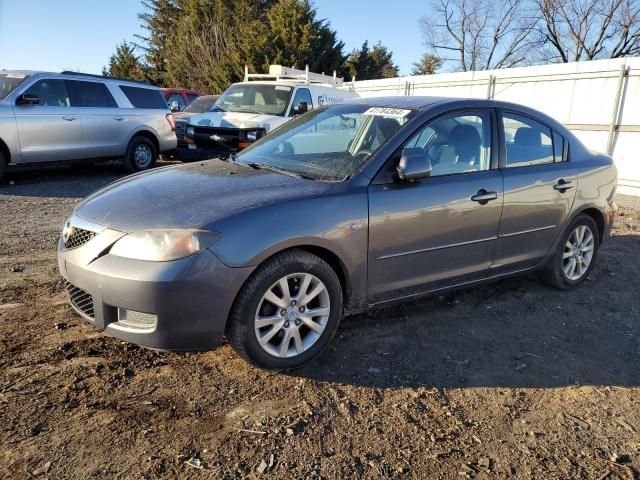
x,y
327,143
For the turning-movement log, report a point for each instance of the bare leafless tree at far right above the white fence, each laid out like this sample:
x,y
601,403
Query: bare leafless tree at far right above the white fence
x,y
590,29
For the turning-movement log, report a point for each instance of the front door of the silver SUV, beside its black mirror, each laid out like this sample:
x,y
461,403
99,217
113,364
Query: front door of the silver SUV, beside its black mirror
x,y
50,130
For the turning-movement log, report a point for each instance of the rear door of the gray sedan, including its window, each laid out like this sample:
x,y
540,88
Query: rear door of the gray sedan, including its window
x,y
540,183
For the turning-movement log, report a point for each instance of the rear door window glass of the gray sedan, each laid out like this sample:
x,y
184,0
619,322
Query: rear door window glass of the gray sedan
x,y
527,142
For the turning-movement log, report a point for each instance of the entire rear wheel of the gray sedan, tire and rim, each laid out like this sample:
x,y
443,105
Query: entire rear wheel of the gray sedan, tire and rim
x,y
575,254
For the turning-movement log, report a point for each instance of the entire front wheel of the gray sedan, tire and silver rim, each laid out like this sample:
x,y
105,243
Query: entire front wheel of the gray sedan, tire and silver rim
x,y
287,312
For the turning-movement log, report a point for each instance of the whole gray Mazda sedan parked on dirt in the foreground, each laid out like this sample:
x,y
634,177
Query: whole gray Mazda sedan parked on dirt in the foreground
x,y
344,208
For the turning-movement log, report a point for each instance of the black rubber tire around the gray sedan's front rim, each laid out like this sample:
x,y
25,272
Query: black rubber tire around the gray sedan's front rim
x,y
240,329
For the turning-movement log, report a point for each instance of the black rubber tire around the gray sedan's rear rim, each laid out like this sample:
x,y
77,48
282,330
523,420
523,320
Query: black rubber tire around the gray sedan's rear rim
x,y
554,272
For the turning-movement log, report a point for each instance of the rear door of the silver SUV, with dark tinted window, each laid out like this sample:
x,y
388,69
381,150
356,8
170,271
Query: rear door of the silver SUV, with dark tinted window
x,y
104,128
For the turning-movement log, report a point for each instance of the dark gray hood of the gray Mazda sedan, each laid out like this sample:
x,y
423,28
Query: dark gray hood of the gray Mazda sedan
x,y
195,195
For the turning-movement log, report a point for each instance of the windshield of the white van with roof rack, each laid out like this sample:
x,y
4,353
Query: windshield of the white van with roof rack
x,y
255,98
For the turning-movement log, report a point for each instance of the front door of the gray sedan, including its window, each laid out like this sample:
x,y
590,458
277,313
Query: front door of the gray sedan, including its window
x,y
441,230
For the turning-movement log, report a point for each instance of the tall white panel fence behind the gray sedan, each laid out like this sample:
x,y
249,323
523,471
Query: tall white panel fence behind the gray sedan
x,y
599,101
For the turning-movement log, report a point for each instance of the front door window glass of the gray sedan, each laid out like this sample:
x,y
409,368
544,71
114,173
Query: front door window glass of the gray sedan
x,y
458,143
